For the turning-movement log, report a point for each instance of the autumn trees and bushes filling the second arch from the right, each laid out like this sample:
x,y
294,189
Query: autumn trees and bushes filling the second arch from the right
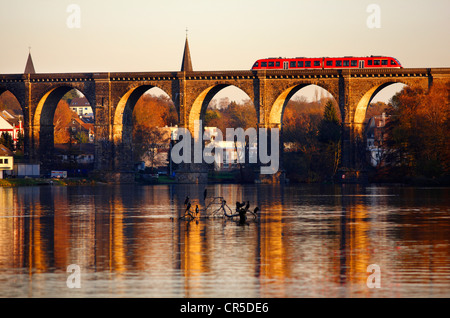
x,y
312,140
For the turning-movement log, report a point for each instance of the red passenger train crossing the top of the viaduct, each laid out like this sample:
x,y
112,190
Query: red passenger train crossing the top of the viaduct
x,y
347,62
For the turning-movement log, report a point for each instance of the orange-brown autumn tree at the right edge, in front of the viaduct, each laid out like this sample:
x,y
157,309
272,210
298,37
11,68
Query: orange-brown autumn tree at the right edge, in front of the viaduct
x,y
418,130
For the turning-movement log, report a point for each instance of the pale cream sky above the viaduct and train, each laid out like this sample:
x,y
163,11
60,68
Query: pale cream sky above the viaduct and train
x,y
148,35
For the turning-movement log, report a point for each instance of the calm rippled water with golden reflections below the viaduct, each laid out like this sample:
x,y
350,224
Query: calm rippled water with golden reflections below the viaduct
x,y
309,241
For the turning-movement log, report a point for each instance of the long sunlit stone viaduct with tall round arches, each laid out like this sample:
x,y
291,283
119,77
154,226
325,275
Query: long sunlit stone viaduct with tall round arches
x,y
114,95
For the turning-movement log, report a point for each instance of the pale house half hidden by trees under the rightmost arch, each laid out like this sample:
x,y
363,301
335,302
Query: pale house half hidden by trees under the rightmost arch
x,y
375,139
